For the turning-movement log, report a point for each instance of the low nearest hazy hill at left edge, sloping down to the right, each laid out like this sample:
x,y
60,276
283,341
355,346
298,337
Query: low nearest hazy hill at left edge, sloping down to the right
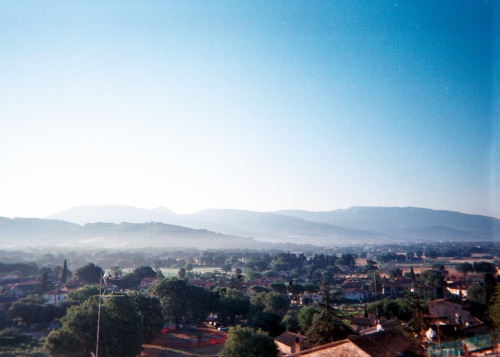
x,y
24,232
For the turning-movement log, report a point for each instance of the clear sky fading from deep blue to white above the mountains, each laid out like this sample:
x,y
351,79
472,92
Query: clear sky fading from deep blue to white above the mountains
x,y
259,105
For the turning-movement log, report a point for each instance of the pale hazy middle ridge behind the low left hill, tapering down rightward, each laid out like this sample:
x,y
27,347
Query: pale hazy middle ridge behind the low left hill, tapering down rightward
x,y
260,225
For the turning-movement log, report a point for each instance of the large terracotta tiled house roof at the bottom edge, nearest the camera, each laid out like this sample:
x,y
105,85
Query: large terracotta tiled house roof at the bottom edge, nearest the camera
x,y
386,343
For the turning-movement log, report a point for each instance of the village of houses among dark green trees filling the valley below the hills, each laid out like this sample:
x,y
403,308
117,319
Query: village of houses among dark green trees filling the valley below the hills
x,y
410,301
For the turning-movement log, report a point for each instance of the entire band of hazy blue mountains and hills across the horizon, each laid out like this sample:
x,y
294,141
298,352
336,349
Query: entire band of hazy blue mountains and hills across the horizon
x,y
132,227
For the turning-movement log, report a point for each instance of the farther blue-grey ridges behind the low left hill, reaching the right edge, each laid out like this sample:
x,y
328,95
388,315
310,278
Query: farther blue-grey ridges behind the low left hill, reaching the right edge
x,y
356,224
